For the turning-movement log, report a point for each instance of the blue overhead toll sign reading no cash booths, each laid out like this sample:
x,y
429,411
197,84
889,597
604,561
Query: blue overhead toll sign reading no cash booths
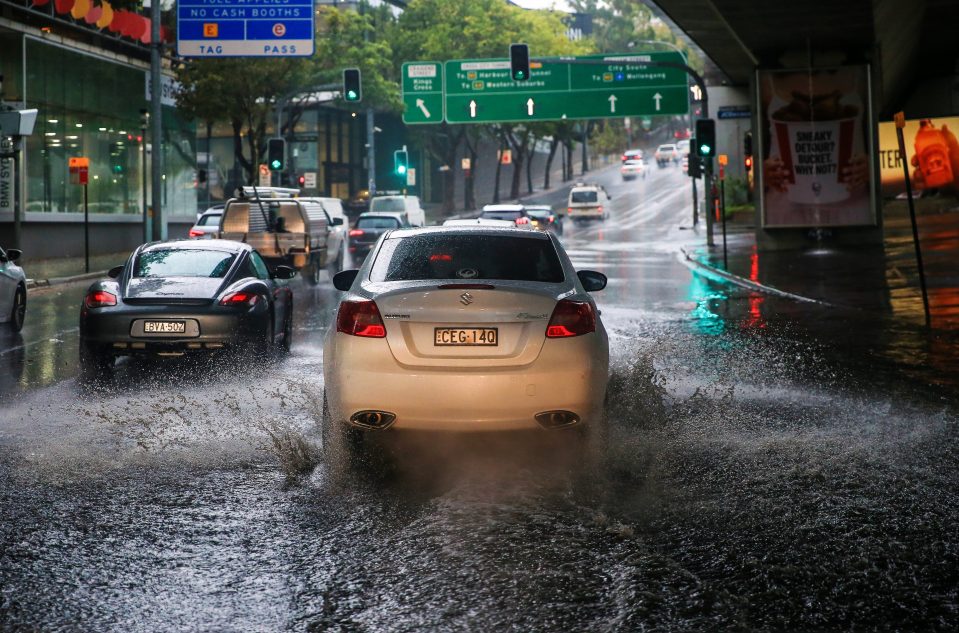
x,y
245,28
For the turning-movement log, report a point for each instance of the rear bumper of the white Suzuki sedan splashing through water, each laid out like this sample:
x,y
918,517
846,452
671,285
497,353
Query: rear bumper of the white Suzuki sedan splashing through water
x,y
568,375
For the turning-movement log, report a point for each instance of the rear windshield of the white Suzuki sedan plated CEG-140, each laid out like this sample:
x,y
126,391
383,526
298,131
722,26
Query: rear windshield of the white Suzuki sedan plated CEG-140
x,y
467,257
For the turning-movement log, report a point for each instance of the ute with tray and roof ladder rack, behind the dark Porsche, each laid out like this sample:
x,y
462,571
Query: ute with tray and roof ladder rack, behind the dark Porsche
x,y
295,232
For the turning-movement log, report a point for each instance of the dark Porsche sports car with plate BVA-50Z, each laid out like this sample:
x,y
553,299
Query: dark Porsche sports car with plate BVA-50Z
x,y
185,296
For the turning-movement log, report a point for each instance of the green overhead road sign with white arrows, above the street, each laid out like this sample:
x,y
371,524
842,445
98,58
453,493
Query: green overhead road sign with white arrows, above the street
x,y
559,88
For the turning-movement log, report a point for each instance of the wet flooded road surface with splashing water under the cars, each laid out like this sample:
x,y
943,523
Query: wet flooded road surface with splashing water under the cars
x,y
768,467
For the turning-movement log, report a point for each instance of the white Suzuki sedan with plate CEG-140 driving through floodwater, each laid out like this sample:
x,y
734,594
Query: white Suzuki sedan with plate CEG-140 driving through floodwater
x,y
463,329
